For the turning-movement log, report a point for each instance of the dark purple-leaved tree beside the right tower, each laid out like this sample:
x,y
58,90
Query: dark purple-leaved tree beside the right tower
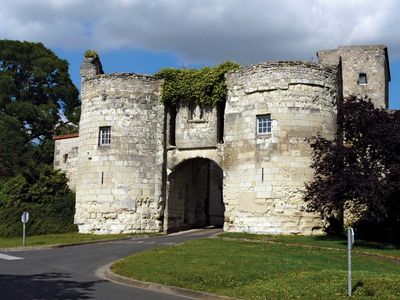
x,y
360,169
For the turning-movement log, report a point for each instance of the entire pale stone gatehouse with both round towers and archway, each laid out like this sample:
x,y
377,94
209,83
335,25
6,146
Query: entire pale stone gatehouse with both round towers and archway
x,y
145,166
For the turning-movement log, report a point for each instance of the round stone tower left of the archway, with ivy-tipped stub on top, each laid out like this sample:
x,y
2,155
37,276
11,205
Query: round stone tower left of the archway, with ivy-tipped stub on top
x,y
120,185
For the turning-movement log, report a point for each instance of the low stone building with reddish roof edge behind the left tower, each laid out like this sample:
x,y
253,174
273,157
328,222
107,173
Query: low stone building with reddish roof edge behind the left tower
x,y
66,156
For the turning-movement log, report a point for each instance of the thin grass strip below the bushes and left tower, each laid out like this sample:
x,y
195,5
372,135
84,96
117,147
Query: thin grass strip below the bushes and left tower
x,y
58,239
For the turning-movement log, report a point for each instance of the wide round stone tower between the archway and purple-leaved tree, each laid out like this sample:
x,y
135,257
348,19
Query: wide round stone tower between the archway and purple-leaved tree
x,y
265,173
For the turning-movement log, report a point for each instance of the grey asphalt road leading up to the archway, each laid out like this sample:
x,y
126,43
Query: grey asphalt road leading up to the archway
x,y
68,273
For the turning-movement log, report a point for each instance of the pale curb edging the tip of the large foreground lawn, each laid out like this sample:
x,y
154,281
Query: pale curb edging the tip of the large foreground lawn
x,y
106,273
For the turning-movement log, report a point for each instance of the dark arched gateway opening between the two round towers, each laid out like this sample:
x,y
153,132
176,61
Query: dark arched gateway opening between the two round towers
x,y
195,195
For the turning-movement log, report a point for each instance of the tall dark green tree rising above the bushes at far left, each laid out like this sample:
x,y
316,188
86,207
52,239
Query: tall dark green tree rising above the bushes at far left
x,y
36,94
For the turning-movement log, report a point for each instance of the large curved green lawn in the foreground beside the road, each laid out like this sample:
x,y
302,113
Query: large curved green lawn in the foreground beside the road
x,y
251,270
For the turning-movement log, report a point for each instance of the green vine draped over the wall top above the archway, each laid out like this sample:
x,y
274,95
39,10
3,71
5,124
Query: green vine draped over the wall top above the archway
x,y
204,86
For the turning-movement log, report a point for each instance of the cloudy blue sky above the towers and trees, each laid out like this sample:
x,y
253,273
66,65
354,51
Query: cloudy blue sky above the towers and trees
x,y
142,36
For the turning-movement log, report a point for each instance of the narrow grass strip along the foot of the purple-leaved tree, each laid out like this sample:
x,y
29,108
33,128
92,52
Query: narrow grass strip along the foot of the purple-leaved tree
x,y
320,241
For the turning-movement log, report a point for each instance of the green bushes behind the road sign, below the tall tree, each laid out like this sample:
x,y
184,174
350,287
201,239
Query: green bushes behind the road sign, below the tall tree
x,y
50,203
